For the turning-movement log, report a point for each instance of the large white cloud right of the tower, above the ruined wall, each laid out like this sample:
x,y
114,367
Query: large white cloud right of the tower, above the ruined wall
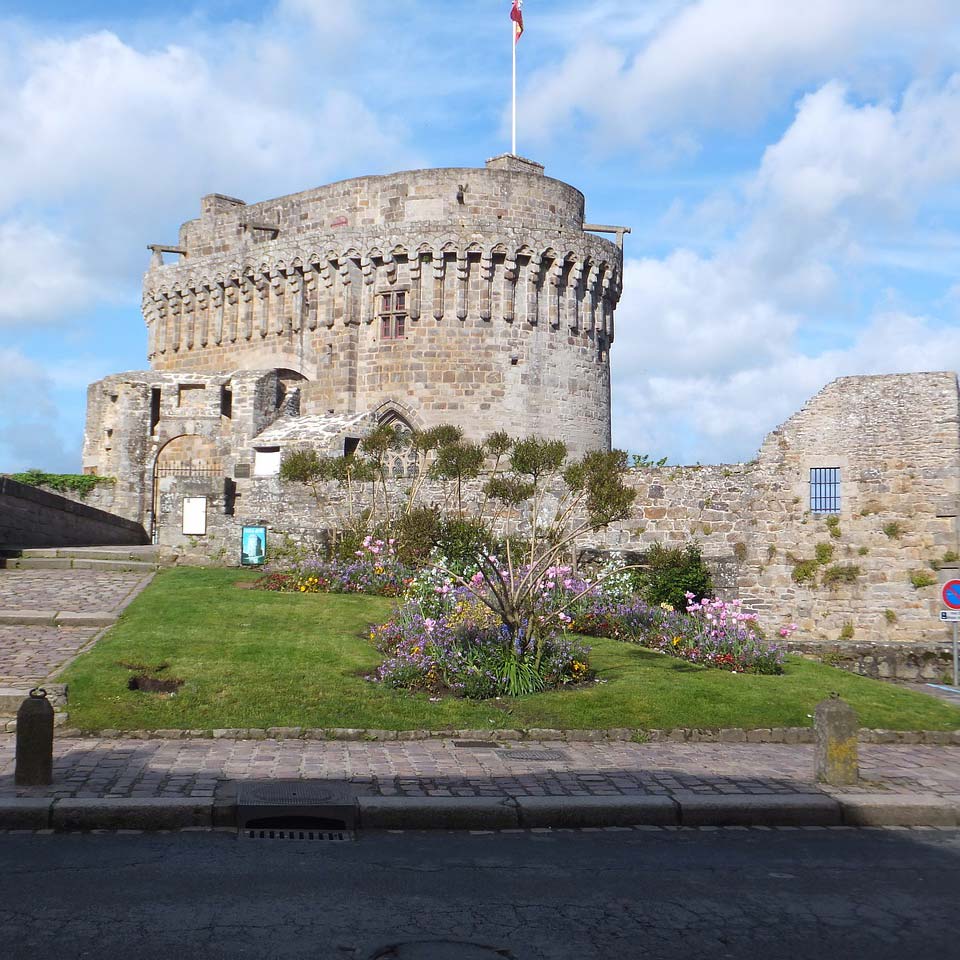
x,y
721,337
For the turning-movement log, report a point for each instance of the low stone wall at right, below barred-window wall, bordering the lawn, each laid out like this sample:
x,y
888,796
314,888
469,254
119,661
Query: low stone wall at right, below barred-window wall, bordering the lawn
x,y
931,662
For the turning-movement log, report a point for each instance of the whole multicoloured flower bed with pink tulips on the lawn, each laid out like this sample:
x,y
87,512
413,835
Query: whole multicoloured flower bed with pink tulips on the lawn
x,y
444,639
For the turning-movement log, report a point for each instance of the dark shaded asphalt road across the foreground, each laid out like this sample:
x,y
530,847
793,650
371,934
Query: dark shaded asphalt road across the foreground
x,y
813,893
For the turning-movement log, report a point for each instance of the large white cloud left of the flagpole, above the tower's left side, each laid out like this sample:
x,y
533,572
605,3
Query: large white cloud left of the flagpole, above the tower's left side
x,y
115,144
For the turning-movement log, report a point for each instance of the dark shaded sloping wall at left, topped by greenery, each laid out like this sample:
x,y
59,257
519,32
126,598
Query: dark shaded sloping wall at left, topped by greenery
x,y
30,517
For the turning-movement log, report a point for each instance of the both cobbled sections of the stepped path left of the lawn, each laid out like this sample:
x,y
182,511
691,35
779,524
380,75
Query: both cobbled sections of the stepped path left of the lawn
x,y
32,653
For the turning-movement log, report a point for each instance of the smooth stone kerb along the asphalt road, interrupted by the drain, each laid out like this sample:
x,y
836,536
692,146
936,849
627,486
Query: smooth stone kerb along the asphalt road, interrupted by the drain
x,y
505,813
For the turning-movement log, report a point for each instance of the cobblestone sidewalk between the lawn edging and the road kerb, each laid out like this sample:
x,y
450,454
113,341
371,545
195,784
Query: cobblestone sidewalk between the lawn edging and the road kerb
x,y
92,767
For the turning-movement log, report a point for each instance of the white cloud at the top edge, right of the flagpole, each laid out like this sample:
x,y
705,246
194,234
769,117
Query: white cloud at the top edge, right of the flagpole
x,y
725,63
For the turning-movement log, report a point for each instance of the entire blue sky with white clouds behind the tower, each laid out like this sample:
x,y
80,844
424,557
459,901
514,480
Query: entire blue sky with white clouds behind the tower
x,y
791,171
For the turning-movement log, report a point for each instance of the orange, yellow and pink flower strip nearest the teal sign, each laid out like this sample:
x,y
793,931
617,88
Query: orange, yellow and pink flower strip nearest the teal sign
x,y
375,570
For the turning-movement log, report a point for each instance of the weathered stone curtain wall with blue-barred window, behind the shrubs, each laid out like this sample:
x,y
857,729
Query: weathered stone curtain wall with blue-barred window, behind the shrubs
x,y
895,440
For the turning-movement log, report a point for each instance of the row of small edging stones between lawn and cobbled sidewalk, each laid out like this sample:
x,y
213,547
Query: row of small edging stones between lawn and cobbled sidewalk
x,y
783,735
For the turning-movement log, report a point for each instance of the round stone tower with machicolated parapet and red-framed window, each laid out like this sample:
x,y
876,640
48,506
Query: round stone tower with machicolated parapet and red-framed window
x,y
467,296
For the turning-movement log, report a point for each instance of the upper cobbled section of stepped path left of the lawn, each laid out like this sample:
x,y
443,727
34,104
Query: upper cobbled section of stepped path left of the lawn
x,y
76,591
